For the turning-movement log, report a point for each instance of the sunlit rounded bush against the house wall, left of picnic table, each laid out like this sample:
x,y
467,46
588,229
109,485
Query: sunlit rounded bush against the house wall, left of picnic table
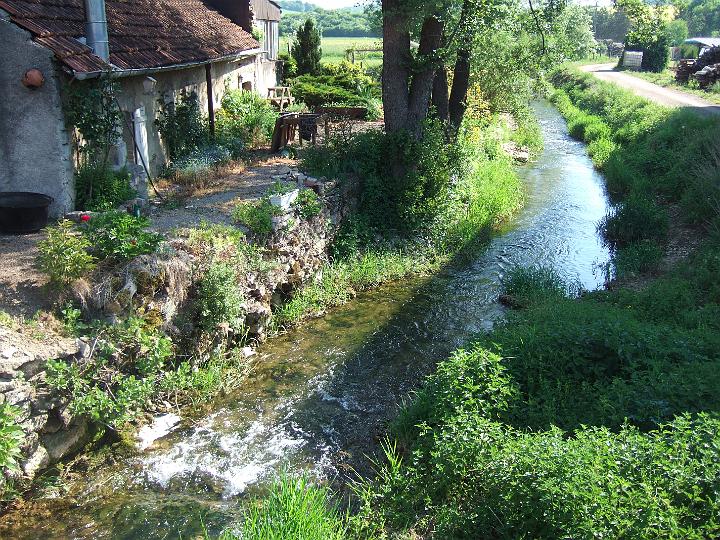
x,y
245,116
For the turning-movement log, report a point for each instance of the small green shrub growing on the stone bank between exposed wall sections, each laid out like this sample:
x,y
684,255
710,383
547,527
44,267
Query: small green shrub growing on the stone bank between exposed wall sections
x,y
220,302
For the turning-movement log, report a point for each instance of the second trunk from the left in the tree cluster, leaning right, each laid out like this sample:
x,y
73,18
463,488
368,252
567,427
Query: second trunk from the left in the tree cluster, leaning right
x,y
422,82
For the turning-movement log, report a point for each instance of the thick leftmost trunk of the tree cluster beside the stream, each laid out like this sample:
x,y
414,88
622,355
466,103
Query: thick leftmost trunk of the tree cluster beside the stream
x,y
396,65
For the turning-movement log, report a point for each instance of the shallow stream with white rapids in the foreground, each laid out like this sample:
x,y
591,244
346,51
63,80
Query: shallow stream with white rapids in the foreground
x,y
319,397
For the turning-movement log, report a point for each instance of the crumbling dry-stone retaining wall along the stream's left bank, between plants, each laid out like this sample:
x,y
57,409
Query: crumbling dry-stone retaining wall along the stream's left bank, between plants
x,y
159,285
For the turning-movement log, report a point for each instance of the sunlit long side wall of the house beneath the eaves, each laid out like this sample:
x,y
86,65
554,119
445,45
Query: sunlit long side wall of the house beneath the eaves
x,y
140,92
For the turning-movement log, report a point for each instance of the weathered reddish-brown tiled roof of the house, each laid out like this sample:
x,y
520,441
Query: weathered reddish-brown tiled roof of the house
x,y
142,33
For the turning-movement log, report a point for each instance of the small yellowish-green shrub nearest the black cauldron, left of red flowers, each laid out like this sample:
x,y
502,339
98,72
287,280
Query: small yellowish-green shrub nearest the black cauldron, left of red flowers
x,y
63,255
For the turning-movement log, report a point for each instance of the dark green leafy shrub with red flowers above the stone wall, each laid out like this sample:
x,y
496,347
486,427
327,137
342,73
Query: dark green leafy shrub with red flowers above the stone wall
x,y
120,236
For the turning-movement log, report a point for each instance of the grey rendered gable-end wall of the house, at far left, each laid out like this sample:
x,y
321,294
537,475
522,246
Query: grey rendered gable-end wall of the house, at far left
x,y
34,145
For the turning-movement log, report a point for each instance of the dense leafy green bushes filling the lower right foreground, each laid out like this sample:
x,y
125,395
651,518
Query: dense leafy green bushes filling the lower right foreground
x,y
577,417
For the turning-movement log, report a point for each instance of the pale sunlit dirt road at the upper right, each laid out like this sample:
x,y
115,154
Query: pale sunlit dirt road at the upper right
x,y
653,92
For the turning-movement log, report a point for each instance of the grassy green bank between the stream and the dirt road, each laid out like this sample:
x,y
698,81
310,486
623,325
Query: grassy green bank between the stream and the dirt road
x,y
652,157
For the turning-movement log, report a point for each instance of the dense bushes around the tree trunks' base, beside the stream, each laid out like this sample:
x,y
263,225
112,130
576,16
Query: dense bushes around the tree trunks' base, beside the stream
x,y
445,193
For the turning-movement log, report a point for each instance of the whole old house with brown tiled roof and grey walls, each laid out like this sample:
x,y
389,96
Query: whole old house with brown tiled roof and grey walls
x,y
154,49
